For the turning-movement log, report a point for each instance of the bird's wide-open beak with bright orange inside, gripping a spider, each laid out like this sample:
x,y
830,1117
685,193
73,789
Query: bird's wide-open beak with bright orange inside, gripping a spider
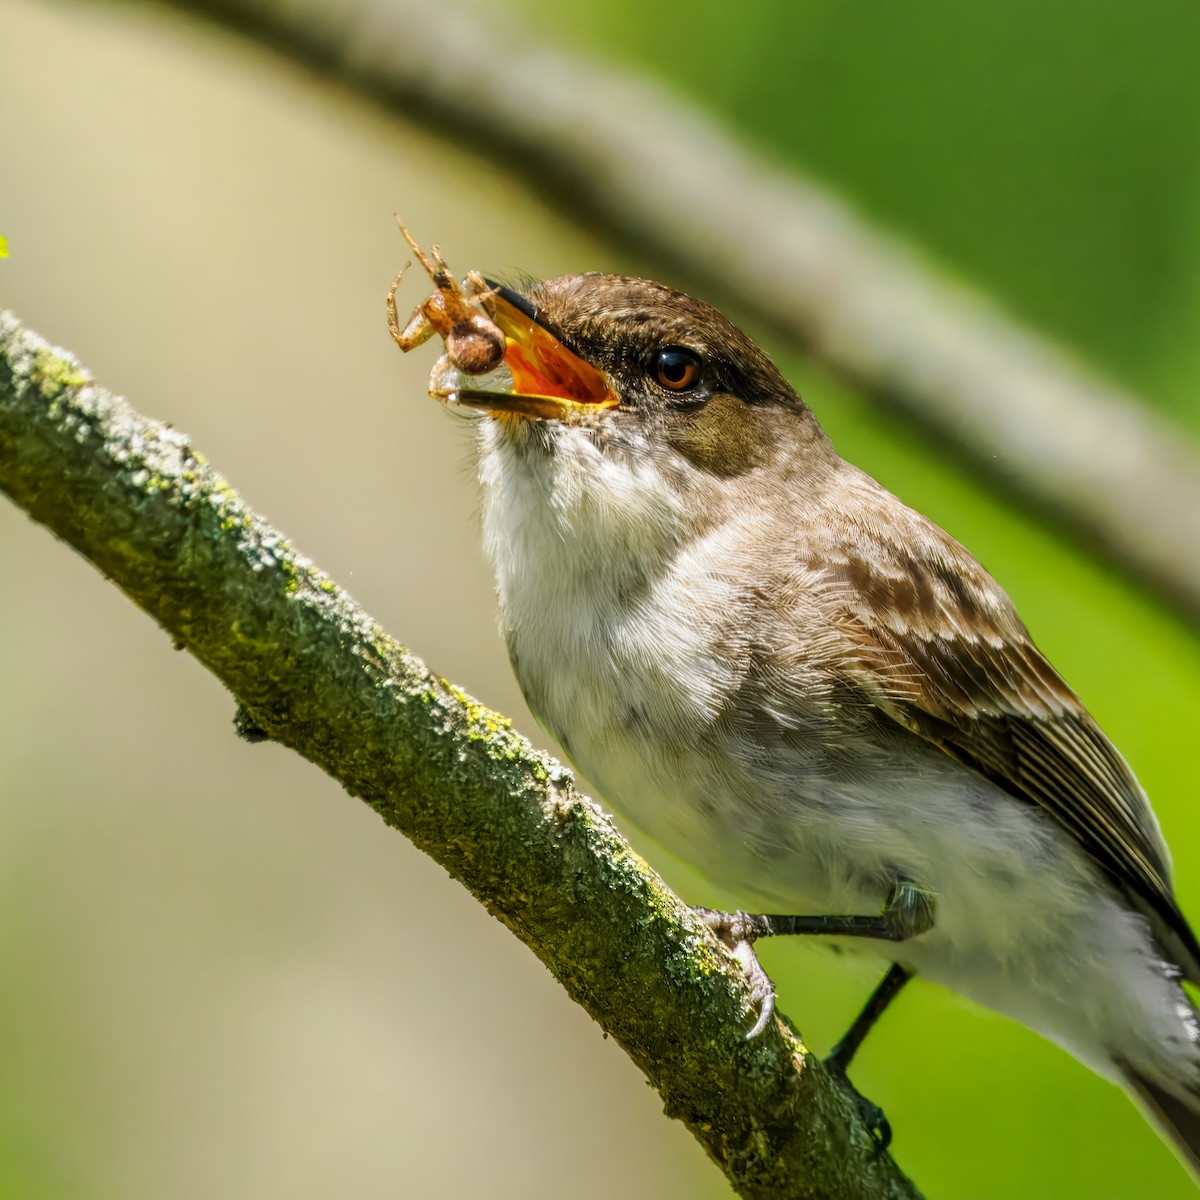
x,y
539,377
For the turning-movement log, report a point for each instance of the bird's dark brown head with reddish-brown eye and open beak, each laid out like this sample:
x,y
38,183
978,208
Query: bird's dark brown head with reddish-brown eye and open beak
x,y
629,367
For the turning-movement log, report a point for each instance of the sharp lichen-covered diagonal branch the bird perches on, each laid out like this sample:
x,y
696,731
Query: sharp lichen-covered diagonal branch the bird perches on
x,y
316,674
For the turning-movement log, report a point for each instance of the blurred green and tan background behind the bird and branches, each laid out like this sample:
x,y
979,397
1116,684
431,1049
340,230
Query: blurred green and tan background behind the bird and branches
x,y
225,979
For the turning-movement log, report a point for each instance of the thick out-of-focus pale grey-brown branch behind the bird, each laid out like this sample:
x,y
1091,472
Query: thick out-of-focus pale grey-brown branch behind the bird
x,y
647,167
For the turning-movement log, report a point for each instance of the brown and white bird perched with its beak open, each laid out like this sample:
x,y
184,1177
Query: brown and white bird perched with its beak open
x,y
788,677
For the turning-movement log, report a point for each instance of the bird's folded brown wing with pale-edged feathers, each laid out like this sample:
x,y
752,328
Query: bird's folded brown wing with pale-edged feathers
x,y
944,653
